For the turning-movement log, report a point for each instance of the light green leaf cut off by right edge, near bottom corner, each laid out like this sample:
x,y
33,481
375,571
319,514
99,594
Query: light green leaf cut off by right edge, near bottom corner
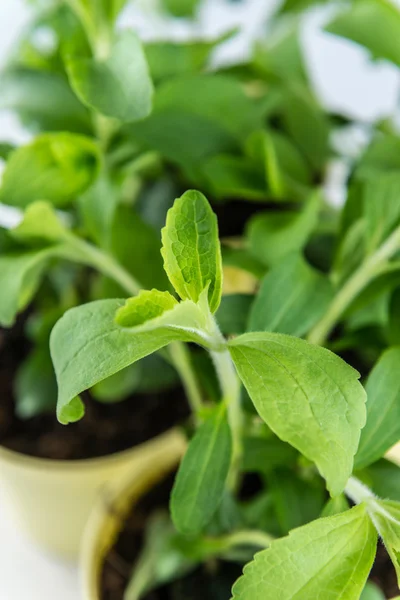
x,y
386,518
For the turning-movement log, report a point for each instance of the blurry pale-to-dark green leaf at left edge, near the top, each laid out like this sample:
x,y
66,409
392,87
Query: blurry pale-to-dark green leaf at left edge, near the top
x,y
43,99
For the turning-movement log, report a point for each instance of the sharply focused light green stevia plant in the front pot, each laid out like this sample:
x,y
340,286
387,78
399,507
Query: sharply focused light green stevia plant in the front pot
x,y
307,429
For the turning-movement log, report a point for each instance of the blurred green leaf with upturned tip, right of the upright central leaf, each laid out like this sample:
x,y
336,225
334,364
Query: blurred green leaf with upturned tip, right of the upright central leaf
x,y
274,235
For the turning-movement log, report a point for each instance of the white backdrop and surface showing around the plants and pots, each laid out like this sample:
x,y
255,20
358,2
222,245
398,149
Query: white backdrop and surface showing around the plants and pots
x,y
345,80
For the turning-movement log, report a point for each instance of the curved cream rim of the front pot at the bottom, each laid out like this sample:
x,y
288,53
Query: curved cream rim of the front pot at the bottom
x,y
112,507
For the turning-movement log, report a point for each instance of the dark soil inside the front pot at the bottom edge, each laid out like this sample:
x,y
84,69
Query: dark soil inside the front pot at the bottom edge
x,y
213,581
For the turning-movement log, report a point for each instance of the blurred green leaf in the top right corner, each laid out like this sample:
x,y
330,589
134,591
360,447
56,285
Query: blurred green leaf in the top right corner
x,y
374,24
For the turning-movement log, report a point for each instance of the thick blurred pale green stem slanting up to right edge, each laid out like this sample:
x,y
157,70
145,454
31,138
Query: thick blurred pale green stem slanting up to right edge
x,y
365,274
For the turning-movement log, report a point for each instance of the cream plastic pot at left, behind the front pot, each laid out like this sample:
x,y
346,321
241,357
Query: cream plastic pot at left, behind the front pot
x,y
52,499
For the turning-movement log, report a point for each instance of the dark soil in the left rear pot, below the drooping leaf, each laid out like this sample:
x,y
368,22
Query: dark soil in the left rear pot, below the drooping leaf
x,y
105,428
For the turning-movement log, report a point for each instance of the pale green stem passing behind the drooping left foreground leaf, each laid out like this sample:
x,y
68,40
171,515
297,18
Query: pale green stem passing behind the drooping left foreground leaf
x,y
178,352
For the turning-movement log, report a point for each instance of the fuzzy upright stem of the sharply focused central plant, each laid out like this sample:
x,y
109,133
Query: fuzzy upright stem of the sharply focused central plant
x,y
230,387
